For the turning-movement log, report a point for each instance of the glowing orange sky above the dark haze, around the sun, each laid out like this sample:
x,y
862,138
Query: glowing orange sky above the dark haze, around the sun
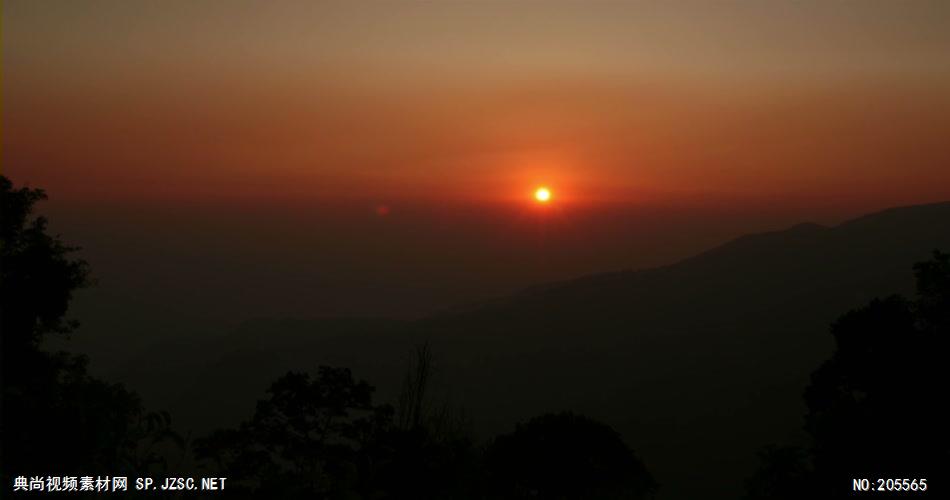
x,y
607,103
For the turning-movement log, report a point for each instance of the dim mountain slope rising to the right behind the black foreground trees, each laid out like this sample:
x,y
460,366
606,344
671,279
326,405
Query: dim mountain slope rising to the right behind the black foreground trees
x,y
697,364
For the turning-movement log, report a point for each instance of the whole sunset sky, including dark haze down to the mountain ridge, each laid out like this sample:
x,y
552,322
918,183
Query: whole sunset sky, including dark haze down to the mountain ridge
x,y
247,146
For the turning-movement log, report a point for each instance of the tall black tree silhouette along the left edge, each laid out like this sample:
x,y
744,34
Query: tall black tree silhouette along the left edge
x,y
55,417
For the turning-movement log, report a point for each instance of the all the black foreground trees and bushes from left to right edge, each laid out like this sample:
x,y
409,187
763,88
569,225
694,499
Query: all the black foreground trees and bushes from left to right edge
x,y
875,409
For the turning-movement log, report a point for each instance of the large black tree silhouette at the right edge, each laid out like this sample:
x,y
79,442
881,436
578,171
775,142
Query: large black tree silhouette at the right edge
x,y
877,408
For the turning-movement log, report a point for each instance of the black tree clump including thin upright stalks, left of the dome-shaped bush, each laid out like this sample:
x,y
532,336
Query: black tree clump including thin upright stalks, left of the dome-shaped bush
x,y
323,437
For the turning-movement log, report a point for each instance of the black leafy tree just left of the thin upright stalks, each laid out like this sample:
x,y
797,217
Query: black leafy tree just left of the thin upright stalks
x,y
309,439
